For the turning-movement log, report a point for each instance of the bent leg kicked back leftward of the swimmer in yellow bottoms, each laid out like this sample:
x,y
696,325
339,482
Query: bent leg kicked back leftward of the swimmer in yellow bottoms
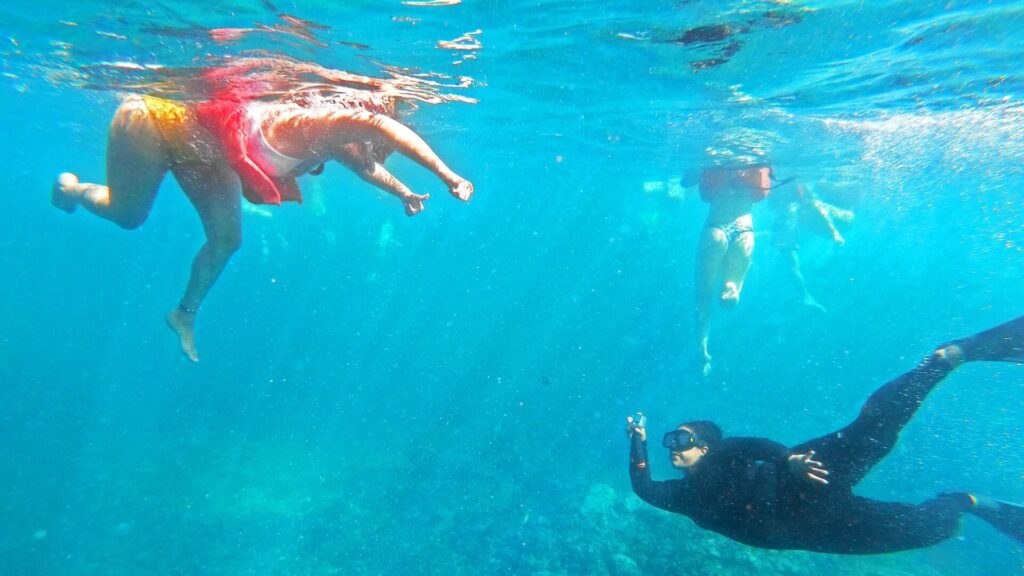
x,y
137,163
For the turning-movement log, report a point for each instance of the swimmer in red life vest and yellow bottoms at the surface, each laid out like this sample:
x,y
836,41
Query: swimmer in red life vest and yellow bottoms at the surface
x,y
232,146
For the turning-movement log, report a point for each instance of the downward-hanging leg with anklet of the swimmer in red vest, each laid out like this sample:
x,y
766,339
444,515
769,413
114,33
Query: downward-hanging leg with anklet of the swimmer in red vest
x,y
216,192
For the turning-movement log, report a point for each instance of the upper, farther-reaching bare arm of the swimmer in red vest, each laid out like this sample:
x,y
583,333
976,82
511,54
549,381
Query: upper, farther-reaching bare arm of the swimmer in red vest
x,y
405,141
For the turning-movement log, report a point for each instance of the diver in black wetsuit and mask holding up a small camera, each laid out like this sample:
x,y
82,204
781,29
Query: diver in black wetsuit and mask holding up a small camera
x,y
766,496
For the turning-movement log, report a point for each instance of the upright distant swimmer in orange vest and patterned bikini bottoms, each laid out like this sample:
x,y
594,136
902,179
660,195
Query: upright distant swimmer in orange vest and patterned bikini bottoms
x,y
727,241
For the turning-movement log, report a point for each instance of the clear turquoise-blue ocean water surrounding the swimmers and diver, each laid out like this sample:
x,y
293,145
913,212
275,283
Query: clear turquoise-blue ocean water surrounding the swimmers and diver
x,y
446,394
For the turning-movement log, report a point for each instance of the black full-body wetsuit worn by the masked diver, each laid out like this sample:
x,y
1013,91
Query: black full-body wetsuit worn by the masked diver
x,y
744,489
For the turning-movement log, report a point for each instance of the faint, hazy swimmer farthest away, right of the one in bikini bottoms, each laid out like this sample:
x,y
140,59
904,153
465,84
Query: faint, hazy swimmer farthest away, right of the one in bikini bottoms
x,y
798,210
